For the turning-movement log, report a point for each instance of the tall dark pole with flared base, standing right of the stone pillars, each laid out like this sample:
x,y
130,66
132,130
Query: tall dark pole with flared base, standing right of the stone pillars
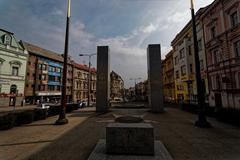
x,y
202,120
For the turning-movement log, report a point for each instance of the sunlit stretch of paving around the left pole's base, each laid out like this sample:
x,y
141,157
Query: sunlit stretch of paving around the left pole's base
x,y
20,142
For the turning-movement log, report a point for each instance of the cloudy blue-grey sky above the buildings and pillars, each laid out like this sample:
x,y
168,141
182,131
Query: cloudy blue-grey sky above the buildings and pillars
x,y
127,26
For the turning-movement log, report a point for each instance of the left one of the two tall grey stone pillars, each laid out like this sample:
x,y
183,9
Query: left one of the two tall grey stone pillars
x,y
103,79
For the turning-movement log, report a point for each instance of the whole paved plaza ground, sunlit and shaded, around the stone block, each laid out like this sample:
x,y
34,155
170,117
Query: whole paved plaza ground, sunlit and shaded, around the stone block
x,y
75,141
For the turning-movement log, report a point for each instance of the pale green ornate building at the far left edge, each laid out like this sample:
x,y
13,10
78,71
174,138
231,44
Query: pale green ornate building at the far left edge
x,y
13,59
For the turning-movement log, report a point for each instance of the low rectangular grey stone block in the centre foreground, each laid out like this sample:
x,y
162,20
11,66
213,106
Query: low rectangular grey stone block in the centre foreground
x,y
130,138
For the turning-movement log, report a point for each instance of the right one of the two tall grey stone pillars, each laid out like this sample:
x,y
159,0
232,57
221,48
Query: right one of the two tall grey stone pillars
x,y
155,78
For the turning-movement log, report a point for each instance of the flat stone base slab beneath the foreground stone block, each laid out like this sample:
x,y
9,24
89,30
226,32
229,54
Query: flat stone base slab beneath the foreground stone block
x,y
98,153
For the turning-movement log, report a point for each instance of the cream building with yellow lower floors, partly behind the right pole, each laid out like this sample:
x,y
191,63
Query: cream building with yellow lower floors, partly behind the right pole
x,y
184,62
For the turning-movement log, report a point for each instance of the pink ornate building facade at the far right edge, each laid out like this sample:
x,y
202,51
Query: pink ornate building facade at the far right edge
x,y
221,23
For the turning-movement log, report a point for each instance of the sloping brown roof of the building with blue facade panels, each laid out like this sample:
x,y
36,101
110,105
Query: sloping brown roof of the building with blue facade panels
x,y
42,52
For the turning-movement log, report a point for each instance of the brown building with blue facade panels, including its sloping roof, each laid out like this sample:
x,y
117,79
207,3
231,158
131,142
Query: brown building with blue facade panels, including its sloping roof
x,y
44,76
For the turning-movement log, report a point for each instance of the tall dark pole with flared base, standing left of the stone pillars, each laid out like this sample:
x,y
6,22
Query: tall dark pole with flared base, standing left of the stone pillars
x,y
62,116
